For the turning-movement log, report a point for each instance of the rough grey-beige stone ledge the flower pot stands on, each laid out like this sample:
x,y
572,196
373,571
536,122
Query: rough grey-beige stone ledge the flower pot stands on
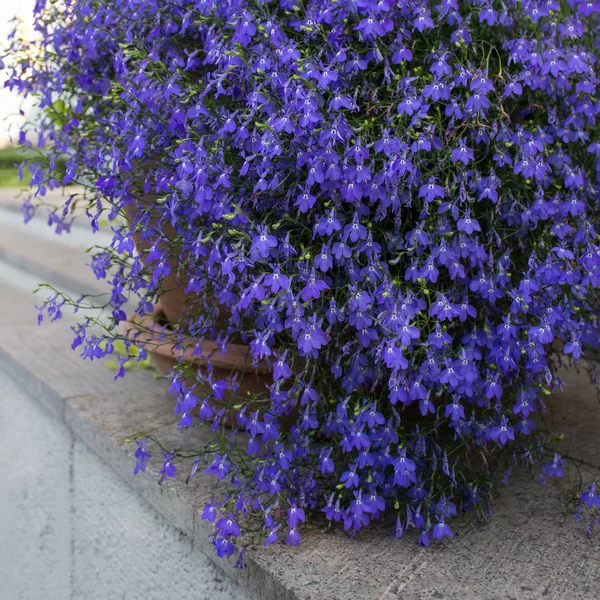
x,y
525,552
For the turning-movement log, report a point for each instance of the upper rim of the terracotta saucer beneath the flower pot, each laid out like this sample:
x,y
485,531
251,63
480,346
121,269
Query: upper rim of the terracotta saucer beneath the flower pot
x,y
161,341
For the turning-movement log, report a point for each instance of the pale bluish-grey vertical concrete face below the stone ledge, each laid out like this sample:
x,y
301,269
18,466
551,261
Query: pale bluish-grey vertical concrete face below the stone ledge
x,y
72,529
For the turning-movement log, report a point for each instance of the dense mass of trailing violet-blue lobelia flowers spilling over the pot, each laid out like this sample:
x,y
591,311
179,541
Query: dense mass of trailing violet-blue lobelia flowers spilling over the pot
x,y
395,201
